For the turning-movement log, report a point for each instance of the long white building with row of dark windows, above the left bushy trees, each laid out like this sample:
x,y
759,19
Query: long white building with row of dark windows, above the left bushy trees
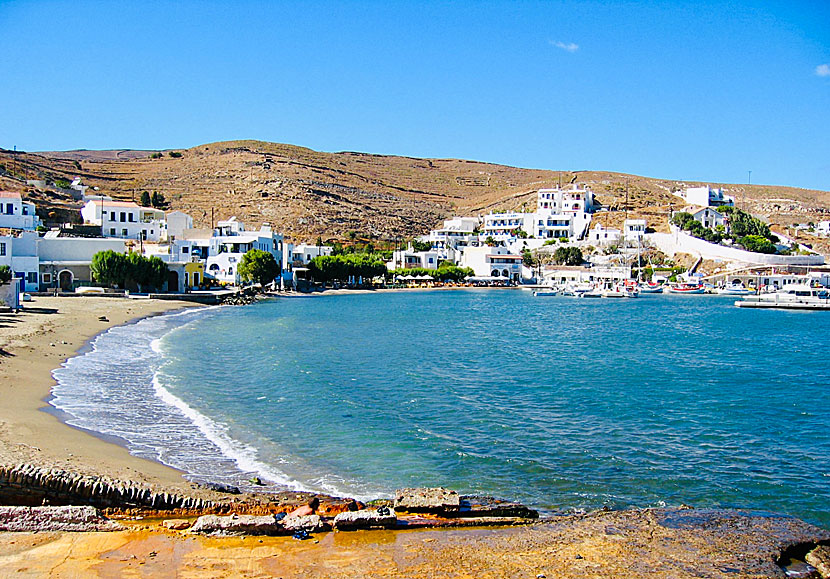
x,y
125,219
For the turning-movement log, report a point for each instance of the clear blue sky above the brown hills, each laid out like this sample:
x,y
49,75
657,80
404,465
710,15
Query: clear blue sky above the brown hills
x,y
681,90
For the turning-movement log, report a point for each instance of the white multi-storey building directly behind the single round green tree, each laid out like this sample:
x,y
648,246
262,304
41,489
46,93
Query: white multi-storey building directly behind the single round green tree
x,y
231,242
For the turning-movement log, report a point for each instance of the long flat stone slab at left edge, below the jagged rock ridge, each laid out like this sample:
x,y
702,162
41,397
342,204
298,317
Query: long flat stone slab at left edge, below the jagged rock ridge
x,y
75,519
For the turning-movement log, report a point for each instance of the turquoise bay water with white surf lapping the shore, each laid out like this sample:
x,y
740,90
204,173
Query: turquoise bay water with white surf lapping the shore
x,y
557,402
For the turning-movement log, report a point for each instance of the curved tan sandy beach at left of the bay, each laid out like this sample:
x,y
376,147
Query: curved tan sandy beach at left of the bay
x,y
34,342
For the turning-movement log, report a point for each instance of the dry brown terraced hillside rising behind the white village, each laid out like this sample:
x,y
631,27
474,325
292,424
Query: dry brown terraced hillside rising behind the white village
x,y
306,193
